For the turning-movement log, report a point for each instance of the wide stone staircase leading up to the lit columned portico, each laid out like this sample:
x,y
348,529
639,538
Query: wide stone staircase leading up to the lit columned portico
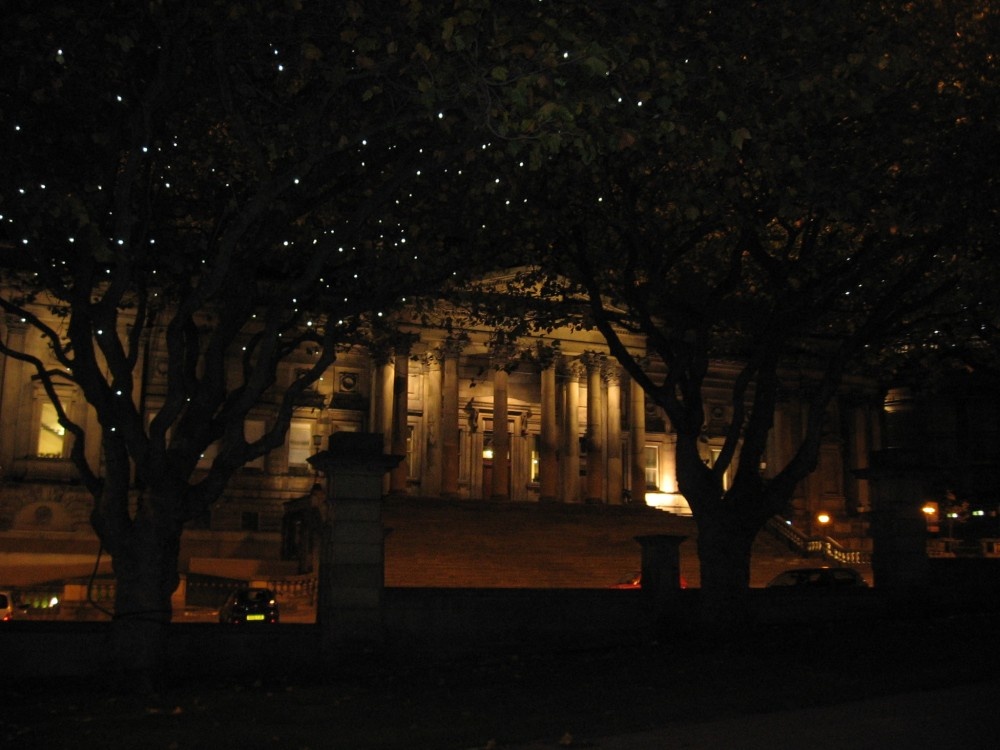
x,y
478,544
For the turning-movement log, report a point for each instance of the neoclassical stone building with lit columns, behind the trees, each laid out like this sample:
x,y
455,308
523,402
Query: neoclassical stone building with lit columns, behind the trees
x,y
575,430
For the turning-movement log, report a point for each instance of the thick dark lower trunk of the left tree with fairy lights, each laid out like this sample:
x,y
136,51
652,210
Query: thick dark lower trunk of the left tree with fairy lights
x,y
144,553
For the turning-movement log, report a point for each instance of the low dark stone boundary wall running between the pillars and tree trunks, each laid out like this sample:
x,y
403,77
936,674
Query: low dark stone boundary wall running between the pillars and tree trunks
x,y
478,622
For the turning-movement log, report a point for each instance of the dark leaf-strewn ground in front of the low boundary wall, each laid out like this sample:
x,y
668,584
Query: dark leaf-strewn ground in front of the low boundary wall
x,y
500,699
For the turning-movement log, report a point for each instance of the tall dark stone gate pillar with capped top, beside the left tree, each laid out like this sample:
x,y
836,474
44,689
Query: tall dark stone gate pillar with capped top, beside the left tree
x,y
352,552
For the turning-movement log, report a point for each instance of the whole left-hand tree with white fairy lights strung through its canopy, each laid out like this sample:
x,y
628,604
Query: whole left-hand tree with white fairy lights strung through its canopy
x,y
244,183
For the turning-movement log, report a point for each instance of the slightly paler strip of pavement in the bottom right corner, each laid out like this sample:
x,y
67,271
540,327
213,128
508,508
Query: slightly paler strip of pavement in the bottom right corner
x,y
966,717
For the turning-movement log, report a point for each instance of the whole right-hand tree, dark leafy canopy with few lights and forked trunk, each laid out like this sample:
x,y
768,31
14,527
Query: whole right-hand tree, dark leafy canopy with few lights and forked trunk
x,y
797,189
